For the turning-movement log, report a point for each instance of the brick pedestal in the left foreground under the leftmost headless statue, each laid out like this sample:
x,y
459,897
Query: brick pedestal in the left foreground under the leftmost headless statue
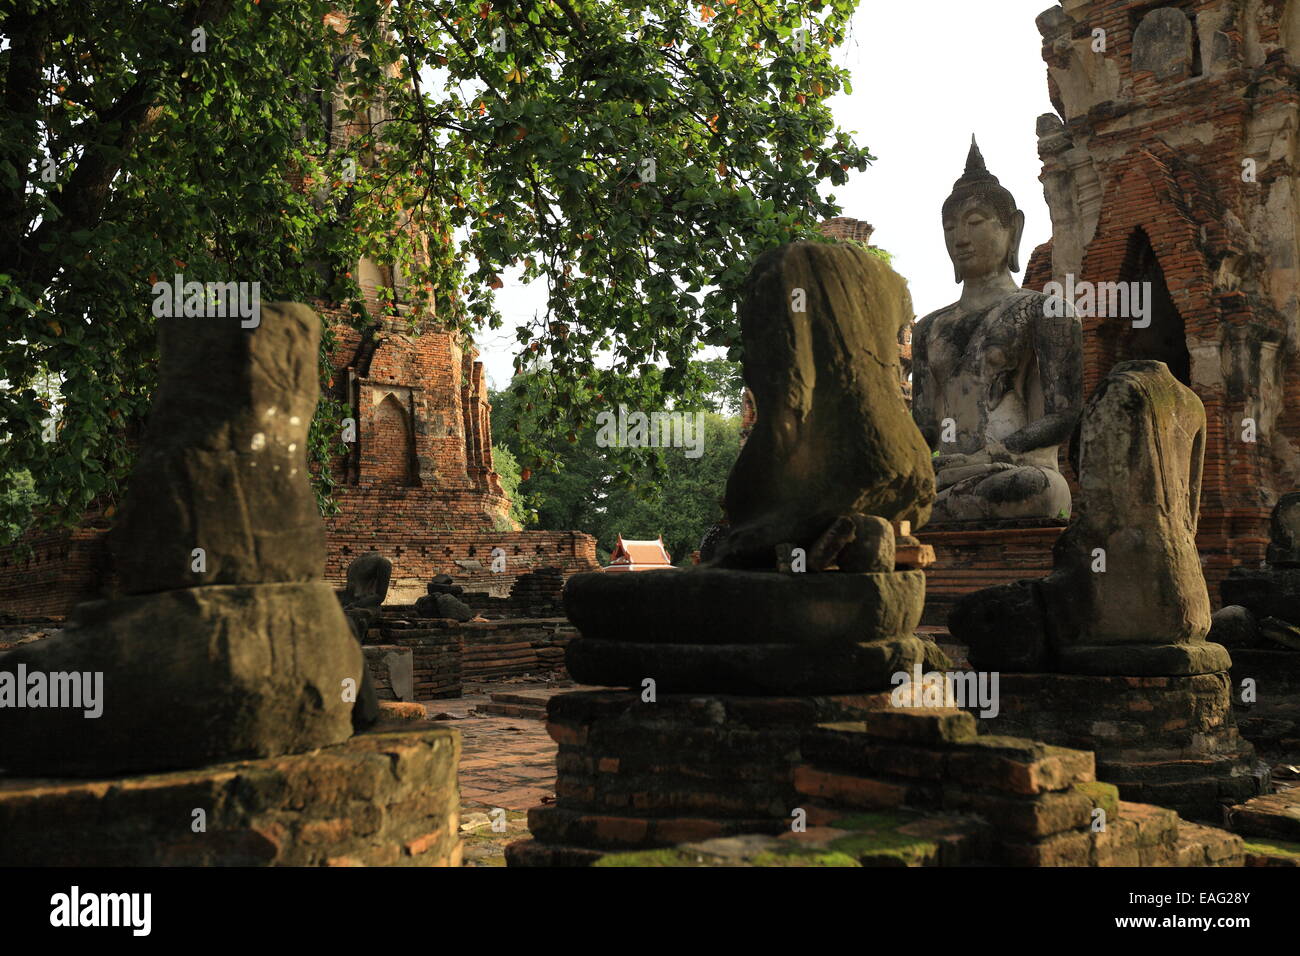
x,y
387,799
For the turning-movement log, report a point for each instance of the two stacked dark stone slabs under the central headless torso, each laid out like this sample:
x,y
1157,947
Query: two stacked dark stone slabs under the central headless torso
x,y
747,633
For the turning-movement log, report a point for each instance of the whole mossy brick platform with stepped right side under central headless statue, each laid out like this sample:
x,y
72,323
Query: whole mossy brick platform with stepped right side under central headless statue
x,y
902,788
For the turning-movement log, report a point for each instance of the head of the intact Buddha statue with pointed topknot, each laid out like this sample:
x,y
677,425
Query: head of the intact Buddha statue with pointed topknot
x,y
982,226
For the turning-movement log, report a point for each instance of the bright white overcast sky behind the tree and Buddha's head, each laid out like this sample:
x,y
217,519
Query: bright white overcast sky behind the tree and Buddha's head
x,y
925,79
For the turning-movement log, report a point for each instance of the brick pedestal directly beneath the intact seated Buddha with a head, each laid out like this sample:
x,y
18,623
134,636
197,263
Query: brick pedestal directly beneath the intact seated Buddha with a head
x,y
970,559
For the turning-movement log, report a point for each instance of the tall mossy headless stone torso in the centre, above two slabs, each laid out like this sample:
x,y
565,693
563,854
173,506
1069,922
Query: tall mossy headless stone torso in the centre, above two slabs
x,y
833,435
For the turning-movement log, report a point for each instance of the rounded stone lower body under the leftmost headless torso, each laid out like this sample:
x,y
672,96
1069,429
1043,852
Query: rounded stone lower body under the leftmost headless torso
x,y
190,677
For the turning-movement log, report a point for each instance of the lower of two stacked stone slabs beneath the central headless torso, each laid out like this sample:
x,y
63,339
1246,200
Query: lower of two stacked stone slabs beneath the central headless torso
x,y
759,669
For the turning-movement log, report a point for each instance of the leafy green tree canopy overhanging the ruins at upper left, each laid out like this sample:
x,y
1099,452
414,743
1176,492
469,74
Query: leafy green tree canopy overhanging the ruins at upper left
x,y
262,141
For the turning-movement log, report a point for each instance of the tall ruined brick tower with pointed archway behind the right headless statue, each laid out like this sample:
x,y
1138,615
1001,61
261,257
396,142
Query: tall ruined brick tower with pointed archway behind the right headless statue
x,y
1172,161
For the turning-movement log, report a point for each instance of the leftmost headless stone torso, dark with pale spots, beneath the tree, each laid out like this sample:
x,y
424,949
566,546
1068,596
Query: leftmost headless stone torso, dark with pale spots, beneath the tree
x,y
224,465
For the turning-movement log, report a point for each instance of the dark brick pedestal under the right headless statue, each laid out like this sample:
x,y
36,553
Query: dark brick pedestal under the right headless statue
x,y
1168,741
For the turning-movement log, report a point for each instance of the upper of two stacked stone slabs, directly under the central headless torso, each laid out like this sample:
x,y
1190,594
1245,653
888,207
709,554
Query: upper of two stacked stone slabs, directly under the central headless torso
x,y
722,607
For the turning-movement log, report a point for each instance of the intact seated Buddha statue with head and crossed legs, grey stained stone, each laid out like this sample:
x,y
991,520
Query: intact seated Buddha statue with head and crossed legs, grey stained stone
x,y
998,377
